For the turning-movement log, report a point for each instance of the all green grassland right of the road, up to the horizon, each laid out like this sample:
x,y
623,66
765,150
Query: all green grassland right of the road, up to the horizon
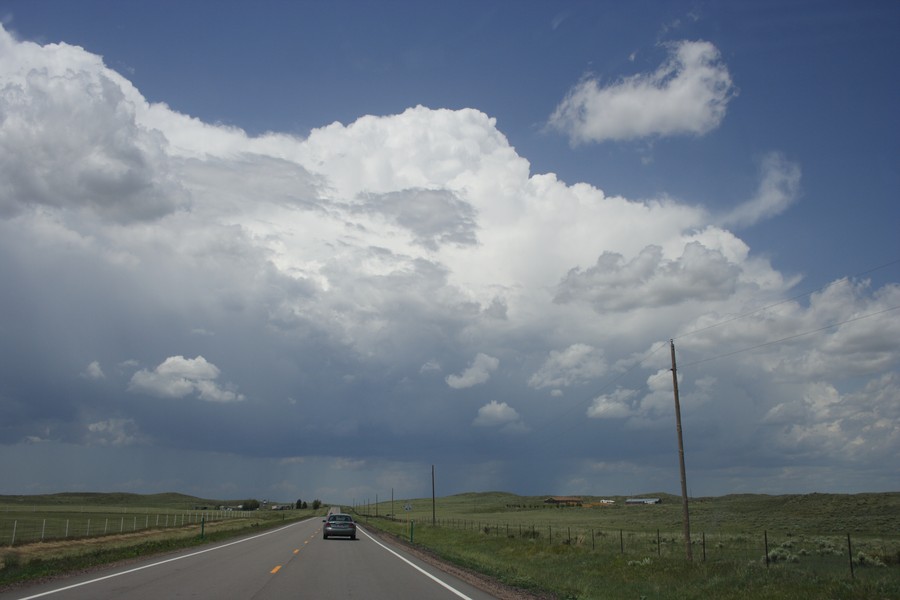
x,y
623,551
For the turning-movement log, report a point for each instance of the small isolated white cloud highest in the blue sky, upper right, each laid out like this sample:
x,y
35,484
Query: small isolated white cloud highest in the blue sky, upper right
x,y
687,94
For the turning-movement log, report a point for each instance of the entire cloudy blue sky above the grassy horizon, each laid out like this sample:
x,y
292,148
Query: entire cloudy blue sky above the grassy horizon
x,y
299,250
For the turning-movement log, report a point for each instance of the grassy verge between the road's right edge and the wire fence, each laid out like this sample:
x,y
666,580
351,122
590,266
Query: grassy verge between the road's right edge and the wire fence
x,y
570,572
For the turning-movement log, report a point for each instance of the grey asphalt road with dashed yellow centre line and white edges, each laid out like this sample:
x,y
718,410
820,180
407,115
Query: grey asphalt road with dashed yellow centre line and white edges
x,y
291,562
